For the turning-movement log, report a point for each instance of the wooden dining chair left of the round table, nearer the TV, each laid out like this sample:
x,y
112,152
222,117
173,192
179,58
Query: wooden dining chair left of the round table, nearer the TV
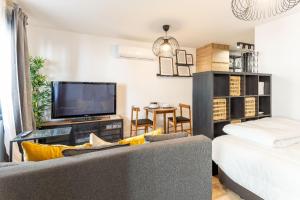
x,y
137,123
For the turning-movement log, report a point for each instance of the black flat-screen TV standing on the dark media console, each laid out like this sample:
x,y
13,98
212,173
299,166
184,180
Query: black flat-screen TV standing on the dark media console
x,y
80,99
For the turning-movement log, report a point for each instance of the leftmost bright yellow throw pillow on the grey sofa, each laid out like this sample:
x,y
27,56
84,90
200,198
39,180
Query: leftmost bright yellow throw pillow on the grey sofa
x,y
38,152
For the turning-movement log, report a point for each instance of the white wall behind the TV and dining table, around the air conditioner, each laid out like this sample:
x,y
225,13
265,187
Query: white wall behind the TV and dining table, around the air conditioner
x,y
81,57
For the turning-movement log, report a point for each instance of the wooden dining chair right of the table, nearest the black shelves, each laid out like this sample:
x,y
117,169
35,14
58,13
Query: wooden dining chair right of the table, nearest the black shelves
x,y
181,120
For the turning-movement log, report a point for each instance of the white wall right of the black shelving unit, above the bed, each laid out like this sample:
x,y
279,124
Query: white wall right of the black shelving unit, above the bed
x,y
279,45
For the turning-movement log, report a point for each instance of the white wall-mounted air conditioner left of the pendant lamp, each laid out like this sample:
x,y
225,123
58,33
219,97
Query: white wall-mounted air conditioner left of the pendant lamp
x,y
135,53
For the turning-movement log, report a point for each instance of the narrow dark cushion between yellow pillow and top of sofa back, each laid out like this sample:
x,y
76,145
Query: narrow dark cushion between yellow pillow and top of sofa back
x,y
75,152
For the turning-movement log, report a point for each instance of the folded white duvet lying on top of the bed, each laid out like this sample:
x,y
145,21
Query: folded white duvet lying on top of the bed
x,y
272,132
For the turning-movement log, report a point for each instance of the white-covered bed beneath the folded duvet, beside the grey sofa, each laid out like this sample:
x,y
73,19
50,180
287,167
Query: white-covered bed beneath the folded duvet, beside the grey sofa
x,y
270,173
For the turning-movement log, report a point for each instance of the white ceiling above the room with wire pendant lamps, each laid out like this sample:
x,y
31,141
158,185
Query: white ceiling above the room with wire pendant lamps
x,y
193,22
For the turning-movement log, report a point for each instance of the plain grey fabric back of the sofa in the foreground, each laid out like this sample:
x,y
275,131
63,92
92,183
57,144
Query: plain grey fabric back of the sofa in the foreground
x,y
178,169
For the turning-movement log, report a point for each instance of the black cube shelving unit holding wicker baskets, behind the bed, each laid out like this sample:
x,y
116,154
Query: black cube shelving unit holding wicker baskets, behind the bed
x,y
210,85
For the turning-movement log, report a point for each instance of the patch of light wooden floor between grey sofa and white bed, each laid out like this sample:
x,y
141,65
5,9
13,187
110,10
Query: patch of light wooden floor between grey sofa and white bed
x,y
219,192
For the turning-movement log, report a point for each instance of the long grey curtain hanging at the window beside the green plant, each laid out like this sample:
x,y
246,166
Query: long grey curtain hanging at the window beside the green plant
x,y
22,96
